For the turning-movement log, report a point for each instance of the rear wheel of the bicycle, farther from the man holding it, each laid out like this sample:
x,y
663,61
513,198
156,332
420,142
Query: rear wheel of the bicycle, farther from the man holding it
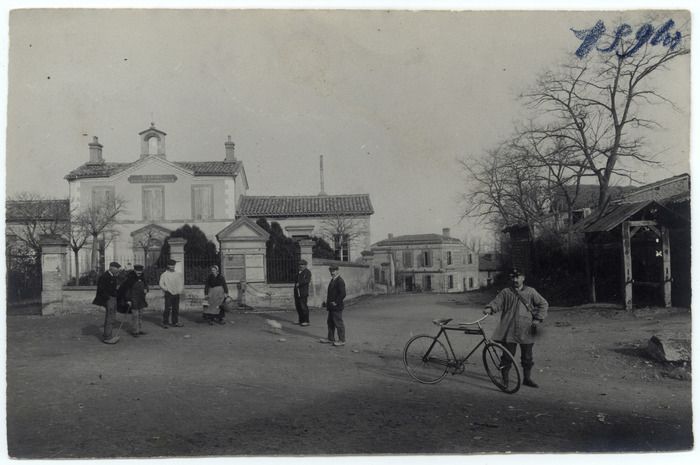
x,y
425,359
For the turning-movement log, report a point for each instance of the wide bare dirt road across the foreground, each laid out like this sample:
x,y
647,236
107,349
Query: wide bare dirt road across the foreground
x,y
244,389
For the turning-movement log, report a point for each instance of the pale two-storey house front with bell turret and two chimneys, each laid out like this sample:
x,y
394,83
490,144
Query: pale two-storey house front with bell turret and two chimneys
x,y
159,194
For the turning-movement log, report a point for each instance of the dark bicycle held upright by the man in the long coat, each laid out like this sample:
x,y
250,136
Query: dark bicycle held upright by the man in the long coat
x,y
426,359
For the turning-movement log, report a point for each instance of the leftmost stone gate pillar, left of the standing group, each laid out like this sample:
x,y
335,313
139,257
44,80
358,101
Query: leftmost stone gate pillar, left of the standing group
x,y
54,273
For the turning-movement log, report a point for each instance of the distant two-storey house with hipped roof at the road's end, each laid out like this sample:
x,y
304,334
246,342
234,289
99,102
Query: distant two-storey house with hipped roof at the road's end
x,y
427,263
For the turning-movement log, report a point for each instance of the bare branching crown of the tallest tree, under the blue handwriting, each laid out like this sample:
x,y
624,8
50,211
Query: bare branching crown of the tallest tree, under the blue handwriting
x,y
597,106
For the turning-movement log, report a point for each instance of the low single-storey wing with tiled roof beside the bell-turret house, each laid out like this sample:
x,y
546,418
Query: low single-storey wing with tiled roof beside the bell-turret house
x,y
342,220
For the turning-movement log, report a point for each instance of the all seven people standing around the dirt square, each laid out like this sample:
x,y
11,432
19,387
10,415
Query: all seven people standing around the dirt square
x,y
521,307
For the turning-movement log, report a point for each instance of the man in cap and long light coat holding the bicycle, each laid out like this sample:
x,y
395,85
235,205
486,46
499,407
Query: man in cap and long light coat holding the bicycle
x,y
522,310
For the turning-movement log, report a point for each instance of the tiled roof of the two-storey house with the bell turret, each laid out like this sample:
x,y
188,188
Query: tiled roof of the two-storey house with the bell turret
x,y
198,168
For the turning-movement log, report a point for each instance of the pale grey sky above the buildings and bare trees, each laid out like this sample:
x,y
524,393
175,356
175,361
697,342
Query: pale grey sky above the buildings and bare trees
x,y
391,99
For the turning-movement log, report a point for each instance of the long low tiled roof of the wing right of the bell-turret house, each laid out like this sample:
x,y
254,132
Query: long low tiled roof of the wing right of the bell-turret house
x,y
301,206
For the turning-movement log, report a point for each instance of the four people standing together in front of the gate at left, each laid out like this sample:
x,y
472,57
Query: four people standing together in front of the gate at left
x,y
128,295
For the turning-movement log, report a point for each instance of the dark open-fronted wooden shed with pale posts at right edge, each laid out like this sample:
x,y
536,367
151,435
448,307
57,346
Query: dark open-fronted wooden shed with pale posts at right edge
x,y
638,254
